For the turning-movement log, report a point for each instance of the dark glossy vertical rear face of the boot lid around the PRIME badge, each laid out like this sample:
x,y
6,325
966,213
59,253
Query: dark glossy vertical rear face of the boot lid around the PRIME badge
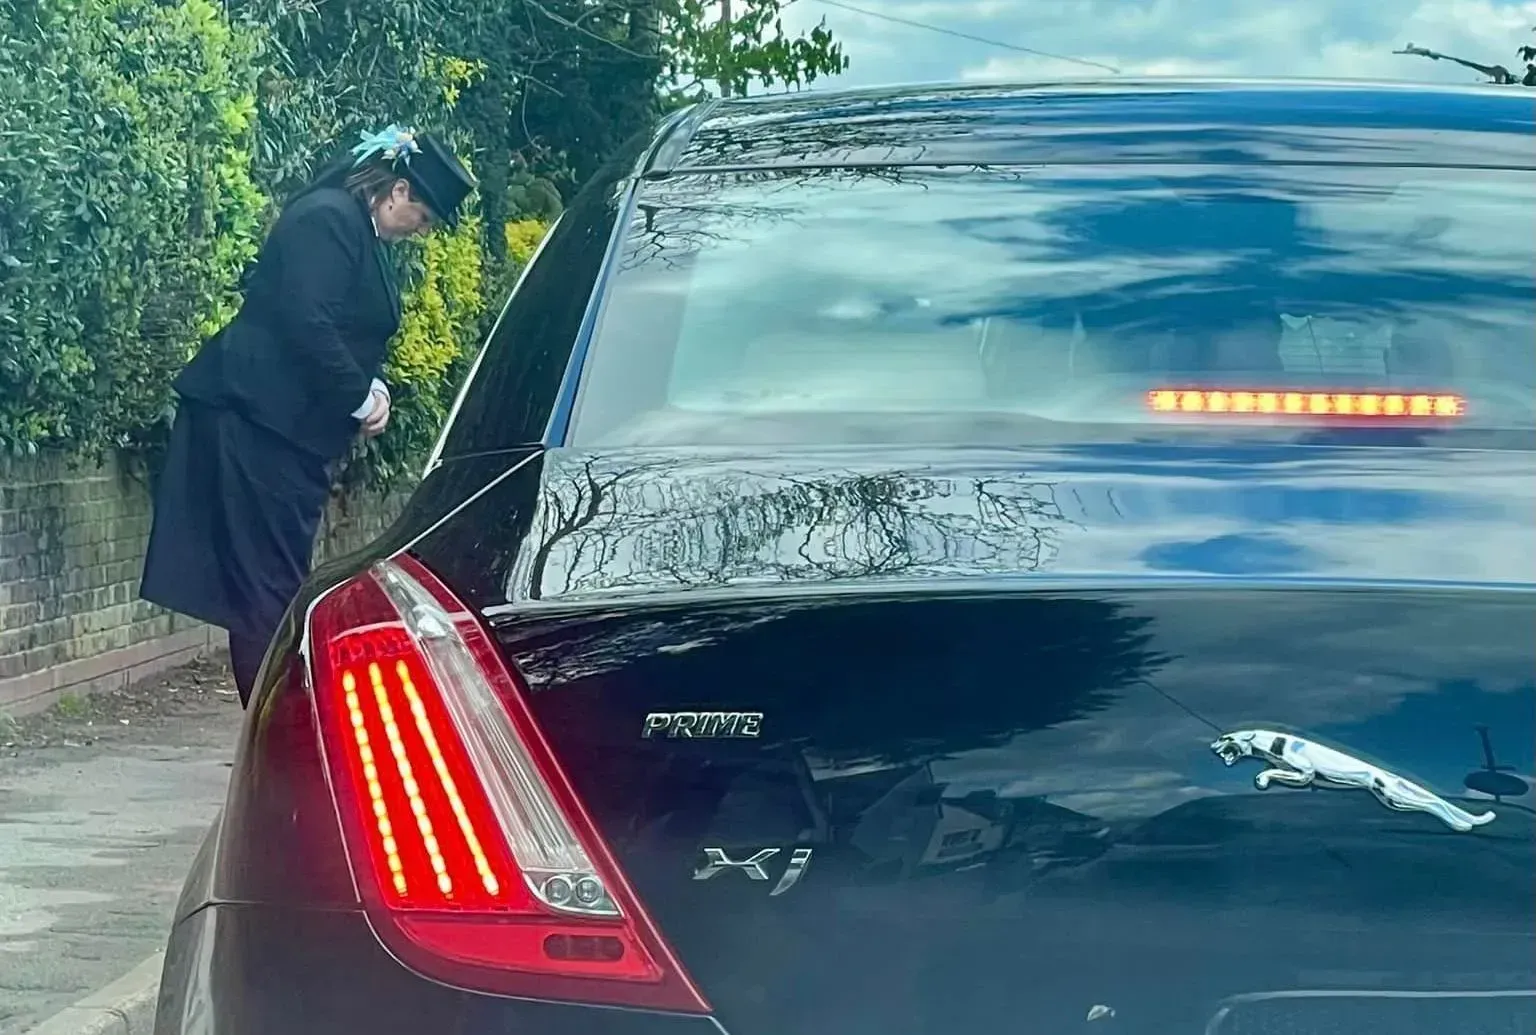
x,y
1018,822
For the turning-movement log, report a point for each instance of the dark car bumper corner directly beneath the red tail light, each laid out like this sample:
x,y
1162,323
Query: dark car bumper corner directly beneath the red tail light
x,y
236,970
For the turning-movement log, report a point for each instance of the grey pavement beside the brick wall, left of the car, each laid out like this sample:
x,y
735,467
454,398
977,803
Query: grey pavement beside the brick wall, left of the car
x,y
104,804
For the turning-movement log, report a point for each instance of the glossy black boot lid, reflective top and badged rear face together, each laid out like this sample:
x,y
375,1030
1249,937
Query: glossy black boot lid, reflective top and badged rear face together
x,y
952,629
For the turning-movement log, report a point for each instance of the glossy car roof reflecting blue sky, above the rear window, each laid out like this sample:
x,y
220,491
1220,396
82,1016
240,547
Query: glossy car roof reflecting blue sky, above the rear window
x,y
1151,122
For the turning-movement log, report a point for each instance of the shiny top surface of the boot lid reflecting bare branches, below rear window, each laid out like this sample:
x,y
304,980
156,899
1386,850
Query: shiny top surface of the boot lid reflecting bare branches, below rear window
x,y
601,526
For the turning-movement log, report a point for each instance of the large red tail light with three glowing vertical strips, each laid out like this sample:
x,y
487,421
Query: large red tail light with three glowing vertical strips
x,y
477,862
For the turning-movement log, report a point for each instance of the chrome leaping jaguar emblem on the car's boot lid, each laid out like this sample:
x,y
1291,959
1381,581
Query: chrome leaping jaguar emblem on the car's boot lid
x,y
1300,764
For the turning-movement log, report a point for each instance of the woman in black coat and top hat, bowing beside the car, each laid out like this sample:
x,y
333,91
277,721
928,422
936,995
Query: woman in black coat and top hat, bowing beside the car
x,y
276,398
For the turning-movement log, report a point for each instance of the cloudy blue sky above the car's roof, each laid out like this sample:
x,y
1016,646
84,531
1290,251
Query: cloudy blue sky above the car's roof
x,y
1352,39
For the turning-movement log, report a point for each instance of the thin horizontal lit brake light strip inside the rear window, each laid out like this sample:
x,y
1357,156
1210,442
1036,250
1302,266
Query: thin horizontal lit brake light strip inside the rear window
x,y
1309,405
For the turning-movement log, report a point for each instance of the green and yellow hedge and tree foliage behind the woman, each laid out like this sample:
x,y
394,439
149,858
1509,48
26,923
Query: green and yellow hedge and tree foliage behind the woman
x,y
150,141
